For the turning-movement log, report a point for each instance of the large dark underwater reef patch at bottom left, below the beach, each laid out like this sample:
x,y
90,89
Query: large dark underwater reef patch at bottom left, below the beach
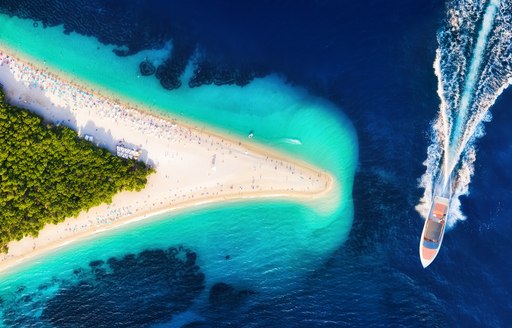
x,y
137,290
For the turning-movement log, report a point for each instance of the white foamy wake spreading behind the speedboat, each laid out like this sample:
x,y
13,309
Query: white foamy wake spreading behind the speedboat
x,y
473,66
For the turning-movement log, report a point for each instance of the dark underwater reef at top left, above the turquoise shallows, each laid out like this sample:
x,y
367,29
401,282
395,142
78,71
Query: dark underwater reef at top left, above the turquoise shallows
x,y
133,26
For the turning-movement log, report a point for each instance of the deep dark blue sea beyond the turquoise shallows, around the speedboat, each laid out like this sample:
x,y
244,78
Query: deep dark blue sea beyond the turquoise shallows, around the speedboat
x,y
374,59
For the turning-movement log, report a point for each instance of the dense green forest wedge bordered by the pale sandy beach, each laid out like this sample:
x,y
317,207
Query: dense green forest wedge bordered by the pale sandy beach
x,y
48,173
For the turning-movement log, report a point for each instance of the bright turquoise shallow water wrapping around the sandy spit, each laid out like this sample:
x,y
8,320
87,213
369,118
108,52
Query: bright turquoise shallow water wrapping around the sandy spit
x,y
270,245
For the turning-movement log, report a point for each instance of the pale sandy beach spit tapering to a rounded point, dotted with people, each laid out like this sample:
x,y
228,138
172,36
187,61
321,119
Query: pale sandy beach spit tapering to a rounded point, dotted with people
x,y
193,167
